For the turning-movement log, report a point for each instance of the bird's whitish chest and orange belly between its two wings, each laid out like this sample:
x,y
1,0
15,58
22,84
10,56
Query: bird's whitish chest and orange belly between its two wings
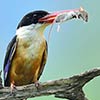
x,y
27,59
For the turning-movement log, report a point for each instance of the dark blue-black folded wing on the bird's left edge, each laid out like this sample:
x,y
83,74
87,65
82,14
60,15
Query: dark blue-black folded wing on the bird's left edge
x,y
8,59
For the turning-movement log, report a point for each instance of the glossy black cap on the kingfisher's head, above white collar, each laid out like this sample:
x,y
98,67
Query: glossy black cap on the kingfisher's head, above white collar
x,y
32,18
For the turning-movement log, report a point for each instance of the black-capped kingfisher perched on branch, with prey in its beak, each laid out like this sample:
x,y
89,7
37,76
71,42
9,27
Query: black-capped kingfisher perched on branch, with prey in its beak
x,y
27,52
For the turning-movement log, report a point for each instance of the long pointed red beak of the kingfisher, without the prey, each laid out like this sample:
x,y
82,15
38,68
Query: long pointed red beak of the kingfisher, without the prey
x,y
52,16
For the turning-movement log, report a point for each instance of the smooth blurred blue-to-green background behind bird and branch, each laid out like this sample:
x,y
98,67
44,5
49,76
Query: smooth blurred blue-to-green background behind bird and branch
x,y
73,50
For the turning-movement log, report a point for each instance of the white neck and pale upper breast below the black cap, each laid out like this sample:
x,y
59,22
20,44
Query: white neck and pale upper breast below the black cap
x,y
31,44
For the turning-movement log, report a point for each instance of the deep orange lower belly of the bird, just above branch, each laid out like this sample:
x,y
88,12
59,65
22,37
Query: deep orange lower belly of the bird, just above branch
x,y
22,73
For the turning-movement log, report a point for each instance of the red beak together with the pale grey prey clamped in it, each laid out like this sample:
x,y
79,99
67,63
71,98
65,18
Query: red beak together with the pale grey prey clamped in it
x,y
65,15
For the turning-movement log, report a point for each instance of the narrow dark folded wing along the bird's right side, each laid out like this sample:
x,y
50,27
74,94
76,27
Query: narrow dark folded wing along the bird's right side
x,y
43,61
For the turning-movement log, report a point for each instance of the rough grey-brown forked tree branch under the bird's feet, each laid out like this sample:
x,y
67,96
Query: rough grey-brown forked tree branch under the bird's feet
x,y
69,88
